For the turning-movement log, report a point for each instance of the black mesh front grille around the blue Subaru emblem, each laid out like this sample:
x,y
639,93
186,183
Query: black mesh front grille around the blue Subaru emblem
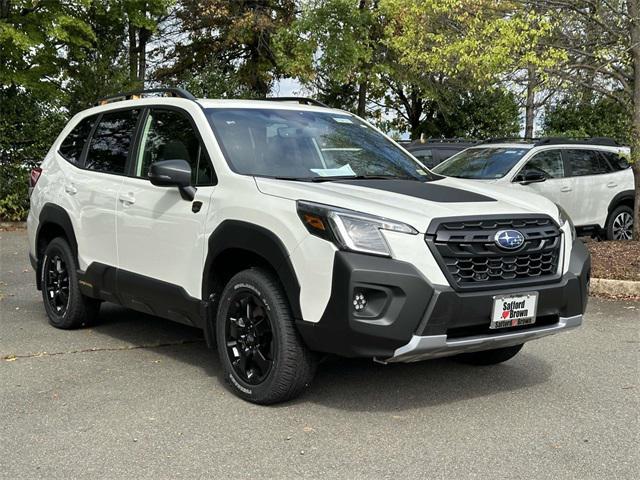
x,y
470,258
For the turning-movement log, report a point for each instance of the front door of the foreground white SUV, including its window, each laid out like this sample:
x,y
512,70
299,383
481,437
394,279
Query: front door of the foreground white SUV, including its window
x,y
161,235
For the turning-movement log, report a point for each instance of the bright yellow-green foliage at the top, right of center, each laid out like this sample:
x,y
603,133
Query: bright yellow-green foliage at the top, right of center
x,y
478,39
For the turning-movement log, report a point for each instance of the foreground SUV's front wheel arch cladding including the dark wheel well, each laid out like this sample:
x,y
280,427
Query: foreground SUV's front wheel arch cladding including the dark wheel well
x,y
257,246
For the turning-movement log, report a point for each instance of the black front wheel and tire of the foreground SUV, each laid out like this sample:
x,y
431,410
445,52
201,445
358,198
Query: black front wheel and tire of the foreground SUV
x,y
262,354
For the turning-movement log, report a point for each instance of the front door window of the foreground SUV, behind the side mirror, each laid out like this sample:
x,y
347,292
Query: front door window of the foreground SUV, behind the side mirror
x,y
169,135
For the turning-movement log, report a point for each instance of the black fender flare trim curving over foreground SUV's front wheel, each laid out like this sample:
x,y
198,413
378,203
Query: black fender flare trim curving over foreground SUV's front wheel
x,y
236,234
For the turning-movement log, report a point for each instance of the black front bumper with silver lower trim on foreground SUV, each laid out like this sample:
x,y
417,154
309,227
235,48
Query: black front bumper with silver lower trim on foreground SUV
x,y
408,319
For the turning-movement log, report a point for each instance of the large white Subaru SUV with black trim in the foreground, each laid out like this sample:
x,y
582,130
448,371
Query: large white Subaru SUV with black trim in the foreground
x,y
288,229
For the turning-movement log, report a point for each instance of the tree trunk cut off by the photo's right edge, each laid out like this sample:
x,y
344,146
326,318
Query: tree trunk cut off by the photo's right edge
x,y
634,11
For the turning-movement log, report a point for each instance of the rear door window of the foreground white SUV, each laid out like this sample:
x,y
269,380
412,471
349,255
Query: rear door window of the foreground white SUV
x,y
109,147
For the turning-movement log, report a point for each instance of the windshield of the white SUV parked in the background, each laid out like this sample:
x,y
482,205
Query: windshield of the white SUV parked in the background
x,y
481,163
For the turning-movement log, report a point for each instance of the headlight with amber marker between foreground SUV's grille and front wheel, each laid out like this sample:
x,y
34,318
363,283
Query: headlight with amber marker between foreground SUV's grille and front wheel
x,y
349,230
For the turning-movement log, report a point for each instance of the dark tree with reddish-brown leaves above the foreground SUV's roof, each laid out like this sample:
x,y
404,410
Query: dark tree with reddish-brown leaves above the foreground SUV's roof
x,y
230,41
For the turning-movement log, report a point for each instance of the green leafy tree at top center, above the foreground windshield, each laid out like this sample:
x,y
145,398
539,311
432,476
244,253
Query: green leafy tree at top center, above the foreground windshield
x,y
333,47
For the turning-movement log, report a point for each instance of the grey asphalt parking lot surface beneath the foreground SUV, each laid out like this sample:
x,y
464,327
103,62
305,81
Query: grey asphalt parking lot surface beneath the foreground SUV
x,y
140,397
